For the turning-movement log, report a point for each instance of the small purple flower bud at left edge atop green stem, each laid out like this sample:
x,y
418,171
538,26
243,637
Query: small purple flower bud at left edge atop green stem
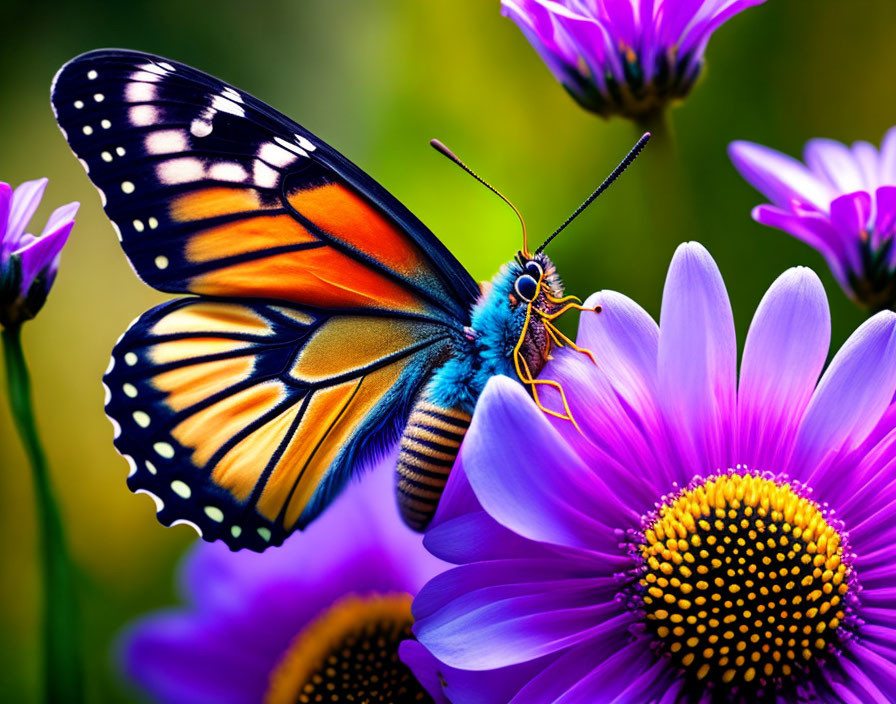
x,y
28,264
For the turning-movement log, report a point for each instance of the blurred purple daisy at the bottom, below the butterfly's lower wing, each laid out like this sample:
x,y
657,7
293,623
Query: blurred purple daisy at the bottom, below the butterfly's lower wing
x,y
321,615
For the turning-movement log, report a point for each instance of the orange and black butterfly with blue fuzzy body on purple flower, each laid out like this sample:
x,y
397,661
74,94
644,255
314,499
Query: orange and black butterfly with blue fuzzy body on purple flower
x,y
322,321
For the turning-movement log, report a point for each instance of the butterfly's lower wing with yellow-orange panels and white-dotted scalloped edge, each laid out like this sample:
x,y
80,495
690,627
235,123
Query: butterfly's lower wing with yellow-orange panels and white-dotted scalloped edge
x,y
245,417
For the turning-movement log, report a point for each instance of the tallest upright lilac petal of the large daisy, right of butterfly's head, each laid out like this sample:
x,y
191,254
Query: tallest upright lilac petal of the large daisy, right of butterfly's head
x,y
698,359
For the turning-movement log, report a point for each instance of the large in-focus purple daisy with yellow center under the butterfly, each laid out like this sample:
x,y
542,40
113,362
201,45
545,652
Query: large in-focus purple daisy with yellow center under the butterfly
x,y
702,540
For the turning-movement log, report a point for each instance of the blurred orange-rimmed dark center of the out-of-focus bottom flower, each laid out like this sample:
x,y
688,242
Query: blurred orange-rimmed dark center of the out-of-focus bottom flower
x,y
350,654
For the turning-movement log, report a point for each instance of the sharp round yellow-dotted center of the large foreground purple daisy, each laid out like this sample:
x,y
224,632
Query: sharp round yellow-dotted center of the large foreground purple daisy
x,y
744,580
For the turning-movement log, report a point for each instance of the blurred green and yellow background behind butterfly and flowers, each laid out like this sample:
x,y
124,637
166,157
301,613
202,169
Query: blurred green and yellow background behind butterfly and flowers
x,y
377,80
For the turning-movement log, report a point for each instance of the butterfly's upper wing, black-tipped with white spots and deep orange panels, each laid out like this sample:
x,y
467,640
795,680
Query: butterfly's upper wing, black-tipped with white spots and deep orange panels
x,y
213,192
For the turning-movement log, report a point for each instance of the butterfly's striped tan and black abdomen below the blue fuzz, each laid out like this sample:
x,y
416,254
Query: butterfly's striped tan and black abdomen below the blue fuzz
x,y
429,446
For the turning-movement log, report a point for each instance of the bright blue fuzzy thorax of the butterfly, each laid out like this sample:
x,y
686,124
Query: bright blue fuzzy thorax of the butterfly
x,y
496,328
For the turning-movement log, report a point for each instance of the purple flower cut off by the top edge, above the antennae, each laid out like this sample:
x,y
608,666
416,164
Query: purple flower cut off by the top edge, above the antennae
x,y
623,57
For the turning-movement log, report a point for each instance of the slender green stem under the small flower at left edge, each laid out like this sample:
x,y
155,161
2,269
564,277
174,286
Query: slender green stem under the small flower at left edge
x,y
62,674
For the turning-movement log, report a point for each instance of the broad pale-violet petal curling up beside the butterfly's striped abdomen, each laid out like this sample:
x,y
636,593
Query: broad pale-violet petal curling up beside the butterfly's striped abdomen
x,y
550,495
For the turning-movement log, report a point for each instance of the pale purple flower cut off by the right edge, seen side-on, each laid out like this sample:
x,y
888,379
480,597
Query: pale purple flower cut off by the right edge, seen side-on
x,y
842,202
